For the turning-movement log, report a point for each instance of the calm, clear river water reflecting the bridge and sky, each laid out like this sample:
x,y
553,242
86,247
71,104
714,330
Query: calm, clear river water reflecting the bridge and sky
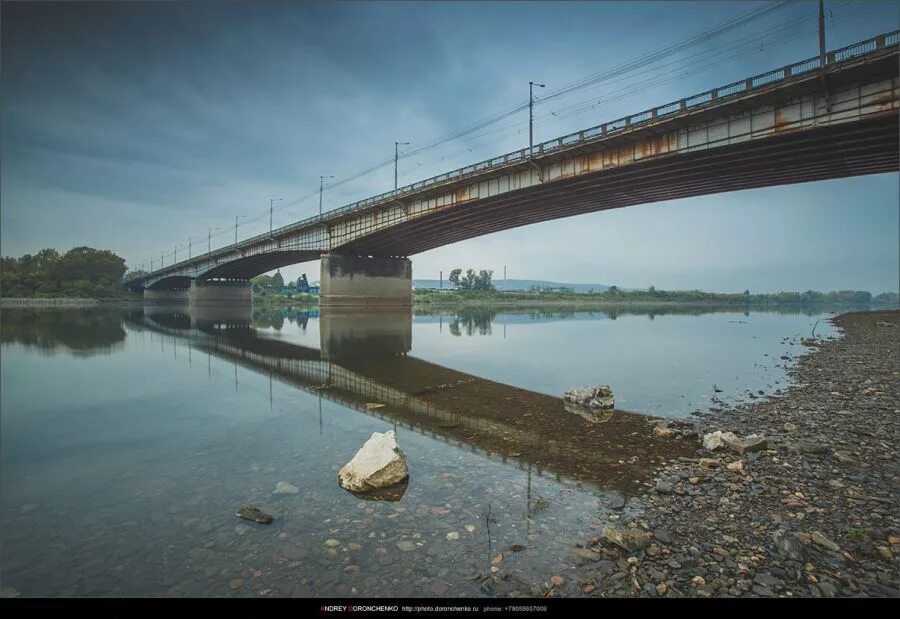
x,y
131,436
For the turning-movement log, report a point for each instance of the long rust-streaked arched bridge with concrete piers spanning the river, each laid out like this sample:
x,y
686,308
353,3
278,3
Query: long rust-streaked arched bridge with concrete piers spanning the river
x,y
804,122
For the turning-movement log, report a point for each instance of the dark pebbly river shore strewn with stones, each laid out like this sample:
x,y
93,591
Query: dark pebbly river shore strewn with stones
x,y
813,513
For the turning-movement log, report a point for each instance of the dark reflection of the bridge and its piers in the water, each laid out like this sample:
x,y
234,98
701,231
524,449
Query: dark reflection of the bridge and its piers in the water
x,y
363,360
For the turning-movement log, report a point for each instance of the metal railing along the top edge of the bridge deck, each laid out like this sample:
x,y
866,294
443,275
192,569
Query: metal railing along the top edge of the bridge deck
x,y
587,136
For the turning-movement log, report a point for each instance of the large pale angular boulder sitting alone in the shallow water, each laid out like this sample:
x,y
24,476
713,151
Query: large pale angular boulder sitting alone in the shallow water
x,y
378,464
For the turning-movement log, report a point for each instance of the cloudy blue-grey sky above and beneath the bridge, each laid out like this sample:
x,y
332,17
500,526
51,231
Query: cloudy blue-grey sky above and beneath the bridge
x,y
137,127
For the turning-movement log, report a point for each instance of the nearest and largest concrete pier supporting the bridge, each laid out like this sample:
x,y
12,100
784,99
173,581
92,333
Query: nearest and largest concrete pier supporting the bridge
x,y
365,282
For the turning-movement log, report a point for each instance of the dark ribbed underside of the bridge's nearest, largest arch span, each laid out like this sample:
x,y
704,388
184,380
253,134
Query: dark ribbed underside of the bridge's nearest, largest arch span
x,y
839,151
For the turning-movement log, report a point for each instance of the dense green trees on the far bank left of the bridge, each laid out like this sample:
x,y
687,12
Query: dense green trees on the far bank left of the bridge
x,y
80,272
